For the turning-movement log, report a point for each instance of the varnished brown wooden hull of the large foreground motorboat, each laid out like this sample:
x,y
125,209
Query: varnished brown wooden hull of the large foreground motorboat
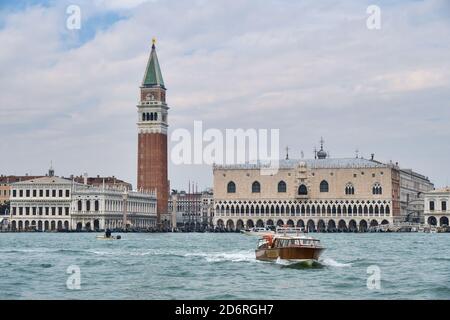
x,y
291,253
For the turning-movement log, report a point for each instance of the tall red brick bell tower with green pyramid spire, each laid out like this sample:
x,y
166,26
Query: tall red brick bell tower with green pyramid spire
x,y
152,134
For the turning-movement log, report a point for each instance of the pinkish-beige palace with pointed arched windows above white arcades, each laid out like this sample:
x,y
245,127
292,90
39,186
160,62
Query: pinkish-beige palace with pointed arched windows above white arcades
x,y
321,194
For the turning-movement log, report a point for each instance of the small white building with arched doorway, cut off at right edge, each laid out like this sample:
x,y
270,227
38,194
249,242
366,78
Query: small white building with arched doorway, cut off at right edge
x,y
437,211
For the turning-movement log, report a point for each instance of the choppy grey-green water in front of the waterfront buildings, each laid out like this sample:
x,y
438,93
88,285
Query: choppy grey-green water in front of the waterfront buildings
x,y
220,266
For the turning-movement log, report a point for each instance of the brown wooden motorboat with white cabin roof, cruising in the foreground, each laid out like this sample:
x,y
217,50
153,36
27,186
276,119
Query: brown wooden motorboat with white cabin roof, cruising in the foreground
x,y
288,243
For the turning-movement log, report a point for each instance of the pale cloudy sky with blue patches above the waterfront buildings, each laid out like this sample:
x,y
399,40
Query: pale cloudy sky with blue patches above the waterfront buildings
x,y
308,68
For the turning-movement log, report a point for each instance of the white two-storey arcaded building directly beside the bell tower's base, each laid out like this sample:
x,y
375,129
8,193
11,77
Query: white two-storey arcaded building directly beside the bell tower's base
x,y
100,208
